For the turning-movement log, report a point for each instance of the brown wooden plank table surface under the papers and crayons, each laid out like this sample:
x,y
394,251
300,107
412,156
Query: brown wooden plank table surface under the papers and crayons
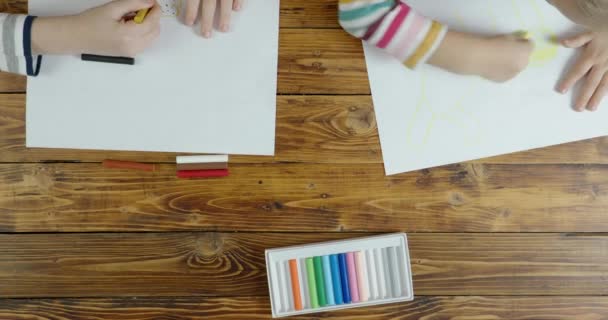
x,y
521,236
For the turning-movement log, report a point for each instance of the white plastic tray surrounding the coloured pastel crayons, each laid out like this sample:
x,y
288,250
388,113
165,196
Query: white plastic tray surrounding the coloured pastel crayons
x,y
377,250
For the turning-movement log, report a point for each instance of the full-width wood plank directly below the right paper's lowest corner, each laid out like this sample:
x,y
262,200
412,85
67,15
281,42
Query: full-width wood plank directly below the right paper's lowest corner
x,y
305,197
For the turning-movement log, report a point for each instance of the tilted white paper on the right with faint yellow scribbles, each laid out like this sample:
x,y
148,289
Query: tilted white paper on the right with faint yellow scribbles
x,y
429,117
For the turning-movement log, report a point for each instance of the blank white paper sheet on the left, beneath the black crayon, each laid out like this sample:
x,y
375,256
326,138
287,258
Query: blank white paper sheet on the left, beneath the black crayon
x,y
185,94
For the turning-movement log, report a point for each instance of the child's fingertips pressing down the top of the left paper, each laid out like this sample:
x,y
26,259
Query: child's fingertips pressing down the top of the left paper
x,y
207,12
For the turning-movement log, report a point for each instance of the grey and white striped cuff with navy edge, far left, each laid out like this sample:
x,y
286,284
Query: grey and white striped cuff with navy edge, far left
x,y
16,45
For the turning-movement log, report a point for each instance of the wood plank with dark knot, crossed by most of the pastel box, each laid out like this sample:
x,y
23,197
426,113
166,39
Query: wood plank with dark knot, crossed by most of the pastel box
x,y
232,264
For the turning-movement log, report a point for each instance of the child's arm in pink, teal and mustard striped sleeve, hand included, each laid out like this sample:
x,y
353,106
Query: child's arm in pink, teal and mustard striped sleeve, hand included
x,y
414,39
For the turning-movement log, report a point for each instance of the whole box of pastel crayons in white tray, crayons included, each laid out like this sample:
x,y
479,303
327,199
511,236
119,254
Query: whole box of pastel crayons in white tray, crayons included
x,y
339,274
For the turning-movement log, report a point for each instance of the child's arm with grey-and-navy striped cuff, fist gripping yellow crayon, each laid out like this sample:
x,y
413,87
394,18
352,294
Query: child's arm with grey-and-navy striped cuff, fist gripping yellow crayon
x,y
101,30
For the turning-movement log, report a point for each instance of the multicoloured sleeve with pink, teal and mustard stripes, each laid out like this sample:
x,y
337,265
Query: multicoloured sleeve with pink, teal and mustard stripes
x,y
393,26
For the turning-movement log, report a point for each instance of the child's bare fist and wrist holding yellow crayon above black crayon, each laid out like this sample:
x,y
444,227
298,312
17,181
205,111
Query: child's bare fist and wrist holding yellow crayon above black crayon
x,y
102,30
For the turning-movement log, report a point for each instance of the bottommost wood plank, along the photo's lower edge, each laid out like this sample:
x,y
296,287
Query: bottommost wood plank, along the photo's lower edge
x,y
192,308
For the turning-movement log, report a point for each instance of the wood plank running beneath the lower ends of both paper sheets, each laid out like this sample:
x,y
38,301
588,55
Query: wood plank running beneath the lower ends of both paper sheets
x,y
320,129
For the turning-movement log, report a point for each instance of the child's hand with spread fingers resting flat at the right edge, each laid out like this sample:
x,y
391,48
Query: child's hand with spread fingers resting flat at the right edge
x,y
593,65
